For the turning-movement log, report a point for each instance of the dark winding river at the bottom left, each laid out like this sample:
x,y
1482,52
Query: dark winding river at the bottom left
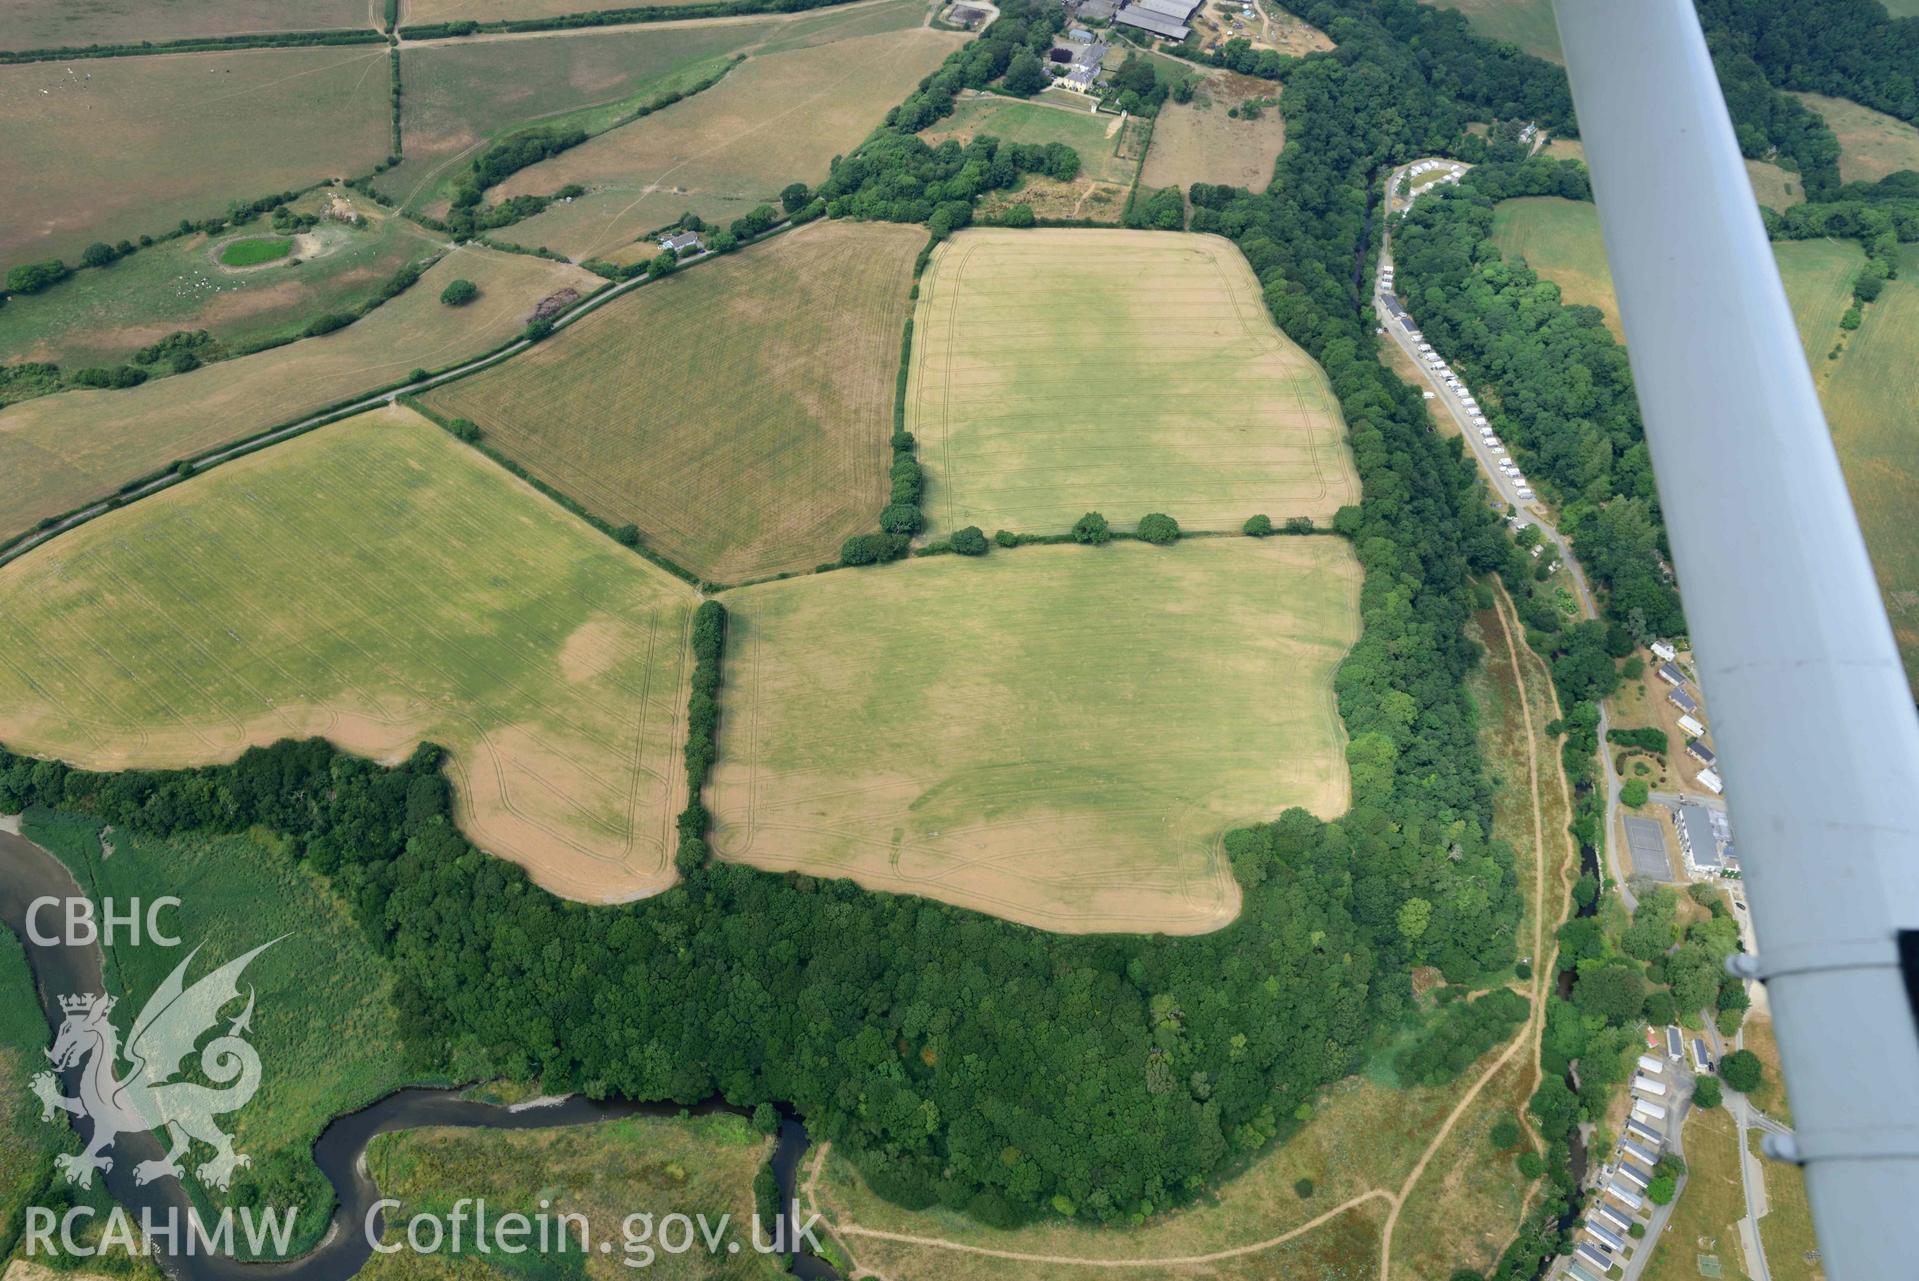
x,y
60,969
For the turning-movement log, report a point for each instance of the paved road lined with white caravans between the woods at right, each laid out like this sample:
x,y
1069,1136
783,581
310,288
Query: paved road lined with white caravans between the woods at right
x,y
1398,323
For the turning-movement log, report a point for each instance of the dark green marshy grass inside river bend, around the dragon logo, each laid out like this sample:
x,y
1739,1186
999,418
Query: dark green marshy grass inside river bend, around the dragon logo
x,y
327,1048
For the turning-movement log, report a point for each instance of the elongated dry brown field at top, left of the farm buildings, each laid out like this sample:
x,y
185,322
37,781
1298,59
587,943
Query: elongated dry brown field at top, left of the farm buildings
x,y
774,120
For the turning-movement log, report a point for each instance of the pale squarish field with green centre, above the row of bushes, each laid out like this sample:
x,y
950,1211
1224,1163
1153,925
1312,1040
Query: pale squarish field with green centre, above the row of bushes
x,y
1127,373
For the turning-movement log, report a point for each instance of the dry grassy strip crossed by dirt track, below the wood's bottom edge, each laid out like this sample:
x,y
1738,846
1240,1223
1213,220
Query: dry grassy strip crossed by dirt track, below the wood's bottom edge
x,y
1363,1136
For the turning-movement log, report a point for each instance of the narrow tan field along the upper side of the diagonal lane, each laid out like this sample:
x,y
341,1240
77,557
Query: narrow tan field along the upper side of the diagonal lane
x,y
64,452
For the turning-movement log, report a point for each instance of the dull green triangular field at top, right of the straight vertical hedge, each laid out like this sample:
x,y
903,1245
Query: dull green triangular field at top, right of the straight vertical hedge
x,y
463,95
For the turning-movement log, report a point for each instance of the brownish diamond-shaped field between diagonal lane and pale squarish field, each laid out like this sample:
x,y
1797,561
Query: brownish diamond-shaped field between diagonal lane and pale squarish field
x,y
738,413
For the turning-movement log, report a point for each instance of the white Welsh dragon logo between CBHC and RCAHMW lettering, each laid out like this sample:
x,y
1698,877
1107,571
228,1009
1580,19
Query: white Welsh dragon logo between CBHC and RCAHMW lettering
x,y
151,1098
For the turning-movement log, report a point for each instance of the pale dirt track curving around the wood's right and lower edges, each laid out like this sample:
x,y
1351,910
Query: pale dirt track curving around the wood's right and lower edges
x,y
1525,1044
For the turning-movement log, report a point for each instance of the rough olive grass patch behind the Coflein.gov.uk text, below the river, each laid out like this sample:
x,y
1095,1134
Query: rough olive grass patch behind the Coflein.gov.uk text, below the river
x,y
699,1165
